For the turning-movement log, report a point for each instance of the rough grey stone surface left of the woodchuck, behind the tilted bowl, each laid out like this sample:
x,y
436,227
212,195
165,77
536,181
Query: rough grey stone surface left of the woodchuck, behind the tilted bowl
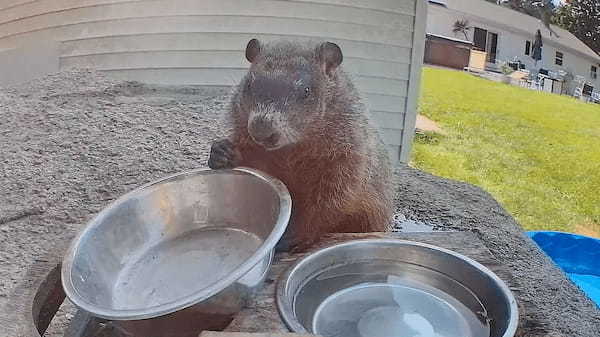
x,y
74,141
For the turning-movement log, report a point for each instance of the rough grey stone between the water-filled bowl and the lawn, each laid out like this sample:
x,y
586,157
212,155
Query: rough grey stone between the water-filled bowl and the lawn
x,y
556,307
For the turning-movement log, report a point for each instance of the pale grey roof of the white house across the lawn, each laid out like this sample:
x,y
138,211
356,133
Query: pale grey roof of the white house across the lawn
x,y
516,21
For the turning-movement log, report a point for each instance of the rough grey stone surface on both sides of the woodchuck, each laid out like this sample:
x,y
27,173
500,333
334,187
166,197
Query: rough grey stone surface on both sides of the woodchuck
x,y
72,142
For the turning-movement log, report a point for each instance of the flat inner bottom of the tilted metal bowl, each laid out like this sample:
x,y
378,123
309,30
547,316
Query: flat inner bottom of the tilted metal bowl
x,y
169,270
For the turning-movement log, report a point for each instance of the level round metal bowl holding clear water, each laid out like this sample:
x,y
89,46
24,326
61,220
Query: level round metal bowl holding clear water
x,y
394,288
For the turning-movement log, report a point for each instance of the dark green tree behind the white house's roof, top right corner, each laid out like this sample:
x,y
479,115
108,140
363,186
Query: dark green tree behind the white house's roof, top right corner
x,y
582,18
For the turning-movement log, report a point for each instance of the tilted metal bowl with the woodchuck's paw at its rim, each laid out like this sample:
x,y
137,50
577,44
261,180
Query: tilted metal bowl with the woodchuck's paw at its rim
x,y
191,244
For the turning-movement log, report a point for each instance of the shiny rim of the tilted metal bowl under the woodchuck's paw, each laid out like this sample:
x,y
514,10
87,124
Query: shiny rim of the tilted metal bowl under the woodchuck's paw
x,y
263,251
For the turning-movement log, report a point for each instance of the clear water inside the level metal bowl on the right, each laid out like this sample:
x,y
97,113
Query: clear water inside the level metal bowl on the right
x,y
373,301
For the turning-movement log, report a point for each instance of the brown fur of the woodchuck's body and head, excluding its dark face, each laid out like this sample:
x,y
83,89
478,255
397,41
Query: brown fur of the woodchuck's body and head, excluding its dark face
x,y
336,170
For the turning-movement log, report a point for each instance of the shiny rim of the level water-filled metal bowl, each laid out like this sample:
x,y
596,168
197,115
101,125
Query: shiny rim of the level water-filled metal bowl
x,y
285,305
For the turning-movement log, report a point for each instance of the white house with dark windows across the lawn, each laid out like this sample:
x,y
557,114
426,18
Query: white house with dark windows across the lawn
x,y
507,35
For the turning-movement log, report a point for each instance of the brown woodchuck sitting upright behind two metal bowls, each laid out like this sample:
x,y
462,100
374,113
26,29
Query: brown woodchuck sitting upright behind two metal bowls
x,y
298,117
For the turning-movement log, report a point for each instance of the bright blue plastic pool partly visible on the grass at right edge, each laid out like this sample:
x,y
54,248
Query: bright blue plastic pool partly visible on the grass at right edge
x,y
578,256
